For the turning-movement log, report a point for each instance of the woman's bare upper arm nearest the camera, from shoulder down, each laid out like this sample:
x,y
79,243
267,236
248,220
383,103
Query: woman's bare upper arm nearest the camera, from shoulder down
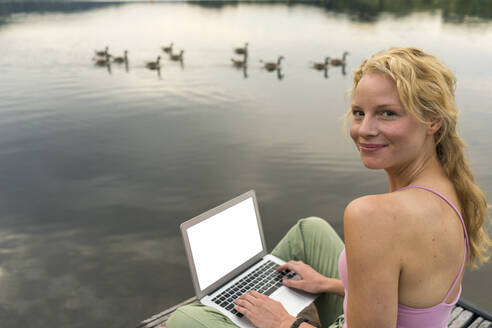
x,y
373,263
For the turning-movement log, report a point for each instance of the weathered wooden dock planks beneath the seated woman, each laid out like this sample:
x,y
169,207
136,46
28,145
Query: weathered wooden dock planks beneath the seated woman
x,y
464,315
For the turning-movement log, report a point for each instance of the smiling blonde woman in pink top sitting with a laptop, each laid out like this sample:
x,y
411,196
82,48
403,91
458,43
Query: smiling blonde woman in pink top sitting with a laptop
x,y
405,250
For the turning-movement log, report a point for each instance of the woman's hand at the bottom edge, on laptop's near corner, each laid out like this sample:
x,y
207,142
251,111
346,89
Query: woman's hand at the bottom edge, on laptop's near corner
x,y
263,311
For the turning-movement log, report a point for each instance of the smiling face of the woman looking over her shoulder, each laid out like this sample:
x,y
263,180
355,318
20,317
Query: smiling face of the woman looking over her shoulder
x,y
385,134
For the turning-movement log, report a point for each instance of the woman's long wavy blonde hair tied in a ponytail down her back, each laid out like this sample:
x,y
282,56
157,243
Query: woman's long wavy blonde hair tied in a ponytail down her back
x,y
426,89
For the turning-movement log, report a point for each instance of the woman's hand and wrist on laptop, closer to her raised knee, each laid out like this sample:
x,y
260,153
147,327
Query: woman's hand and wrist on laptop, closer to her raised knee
x,y
311,281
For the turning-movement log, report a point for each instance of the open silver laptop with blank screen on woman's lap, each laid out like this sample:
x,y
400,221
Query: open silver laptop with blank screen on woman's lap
x,y
227,256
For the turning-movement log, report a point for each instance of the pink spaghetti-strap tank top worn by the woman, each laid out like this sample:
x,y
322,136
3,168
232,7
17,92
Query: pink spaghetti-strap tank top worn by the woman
x,y
436,316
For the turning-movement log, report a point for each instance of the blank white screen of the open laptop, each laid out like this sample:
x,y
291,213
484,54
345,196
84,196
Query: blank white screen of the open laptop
x,y
224,241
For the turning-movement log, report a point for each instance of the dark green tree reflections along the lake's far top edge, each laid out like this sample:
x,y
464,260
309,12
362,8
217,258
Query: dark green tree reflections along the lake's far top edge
x,y
452,11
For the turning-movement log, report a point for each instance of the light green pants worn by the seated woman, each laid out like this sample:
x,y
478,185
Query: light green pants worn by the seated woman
x,y
311,240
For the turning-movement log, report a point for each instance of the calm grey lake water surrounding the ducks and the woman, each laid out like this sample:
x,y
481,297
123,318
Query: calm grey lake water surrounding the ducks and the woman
x,y
99,167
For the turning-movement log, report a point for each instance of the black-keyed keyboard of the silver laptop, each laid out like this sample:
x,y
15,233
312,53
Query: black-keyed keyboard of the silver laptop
x,y
265,279
